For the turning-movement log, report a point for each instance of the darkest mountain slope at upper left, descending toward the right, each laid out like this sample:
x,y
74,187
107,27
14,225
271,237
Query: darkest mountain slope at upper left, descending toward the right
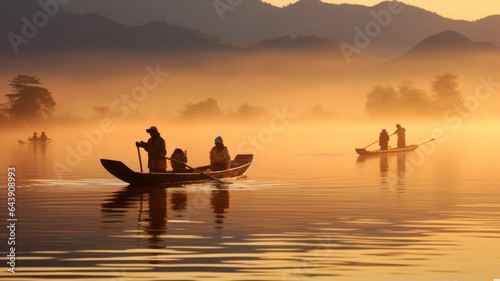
x,y
69,32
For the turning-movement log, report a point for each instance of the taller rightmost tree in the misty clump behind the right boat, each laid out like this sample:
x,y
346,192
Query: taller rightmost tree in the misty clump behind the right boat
x,y
445,89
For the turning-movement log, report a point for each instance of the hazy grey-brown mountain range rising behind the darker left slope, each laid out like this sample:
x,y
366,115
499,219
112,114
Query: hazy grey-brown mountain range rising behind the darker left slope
x,y
253,21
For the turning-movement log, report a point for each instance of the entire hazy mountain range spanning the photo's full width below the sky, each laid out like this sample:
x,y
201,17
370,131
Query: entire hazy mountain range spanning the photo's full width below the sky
x,y
186,23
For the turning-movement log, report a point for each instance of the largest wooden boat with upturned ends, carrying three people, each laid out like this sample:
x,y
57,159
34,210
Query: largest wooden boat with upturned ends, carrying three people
x,y
239,166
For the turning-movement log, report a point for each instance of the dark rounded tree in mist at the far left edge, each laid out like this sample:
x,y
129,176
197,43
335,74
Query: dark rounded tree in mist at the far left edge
x,y
28,100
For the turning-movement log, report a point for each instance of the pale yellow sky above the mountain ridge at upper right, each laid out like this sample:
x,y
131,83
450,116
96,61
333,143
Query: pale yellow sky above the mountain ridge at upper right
x,y
455,9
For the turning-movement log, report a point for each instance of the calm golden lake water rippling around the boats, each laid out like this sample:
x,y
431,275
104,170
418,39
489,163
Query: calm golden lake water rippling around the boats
x,y
308,209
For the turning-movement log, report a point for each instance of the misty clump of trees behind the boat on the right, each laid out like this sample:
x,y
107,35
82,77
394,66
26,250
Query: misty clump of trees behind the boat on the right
x,y
407,99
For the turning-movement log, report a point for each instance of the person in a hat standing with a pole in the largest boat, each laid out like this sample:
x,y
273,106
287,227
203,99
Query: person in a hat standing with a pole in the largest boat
x,y
156,149
